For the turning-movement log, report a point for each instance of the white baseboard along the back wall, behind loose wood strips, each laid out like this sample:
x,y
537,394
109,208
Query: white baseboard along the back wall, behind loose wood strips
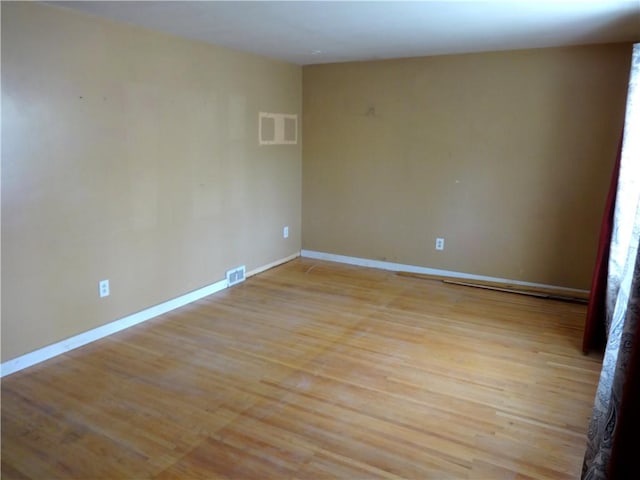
x,y
401,267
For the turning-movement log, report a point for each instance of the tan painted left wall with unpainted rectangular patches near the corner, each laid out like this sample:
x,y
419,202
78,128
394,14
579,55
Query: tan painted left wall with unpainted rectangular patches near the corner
x,y
133,156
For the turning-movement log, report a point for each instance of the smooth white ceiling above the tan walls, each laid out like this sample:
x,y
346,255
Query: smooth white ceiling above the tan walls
x,y
307,32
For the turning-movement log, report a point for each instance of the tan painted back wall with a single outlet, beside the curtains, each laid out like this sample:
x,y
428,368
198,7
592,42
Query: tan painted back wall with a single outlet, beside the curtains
x,y
506,155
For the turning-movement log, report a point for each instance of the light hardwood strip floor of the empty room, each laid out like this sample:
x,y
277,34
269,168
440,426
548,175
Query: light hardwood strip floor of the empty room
x,y
315,370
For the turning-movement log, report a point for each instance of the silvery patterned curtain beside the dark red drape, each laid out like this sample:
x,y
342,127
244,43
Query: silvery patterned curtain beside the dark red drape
x,y
612,436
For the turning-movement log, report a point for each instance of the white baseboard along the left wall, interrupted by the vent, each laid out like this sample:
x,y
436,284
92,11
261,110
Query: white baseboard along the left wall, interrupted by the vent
x,y
53,350
